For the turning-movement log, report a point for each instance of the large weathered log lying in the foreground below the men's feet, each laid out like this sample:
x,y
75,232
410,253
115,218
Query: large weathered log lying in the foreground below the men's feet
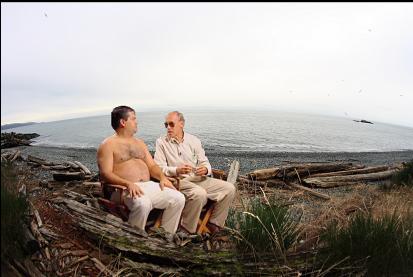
x,y
121,237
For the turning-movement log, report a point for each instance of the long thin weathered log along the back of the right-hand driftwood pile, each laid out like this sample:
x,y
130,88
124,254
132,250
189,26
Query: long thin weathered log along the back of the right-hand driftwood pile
x,y
289,171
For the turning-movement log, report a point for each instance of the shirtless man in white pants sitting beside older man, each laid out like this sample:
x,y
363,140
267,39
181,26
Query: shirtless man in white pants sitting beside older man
x,y
125,160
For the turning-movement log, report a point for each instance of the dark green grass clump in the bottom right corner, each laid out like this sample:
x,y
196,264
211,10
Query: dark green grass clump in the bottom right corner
x,y
382,246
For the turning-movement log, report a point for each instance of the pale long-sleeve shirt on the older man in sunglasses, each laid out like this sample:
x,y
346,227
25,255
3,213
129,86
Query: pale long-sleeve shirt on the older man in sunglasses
x,y
170,154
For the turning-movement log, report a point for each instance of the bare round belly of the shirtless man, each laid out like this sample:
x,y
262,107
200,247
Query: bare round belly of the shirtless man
x,y
133,170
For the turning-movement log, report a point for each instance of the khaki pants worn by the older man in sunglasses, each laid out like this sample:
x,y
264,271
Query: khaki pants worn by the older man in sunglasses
x,y
197,191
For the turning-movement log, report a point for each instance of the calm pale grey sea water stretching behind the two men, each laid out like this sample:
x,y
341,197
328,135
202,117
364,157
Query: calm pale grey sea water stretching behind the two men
x,y
237,131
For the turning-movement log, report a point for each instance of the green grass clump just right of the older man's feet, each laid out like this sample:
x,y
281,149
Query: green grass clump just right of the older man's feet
x,y
264,228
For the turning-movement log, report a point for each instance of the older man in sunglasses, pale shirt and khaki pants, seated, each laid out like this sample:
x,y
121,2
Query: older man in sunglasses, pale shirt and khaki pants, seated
x,y
181,154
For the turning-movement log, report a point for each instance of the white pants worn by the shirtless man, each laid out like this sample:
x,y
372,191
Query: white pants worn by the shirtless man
x,y
169,200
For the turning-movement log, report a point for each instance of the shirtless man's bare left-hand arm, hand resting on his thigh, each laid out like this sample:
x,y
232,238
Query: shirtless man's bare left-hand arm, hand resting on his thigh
x,y
105,164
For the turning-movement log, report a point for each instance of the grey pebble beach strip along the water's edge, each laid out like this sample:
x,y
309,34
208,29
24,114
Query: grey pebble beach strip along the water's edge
x,y
249,160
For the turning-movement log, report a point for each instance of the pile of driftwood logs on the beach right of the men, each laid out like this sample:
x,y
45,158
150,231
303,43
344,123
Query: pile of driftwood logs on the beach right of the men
x,y
305,176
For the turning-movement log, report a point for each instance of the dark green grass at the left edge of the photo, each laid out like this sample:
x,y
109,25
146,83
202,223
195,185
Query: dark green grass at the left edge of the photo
x,y
13,210
